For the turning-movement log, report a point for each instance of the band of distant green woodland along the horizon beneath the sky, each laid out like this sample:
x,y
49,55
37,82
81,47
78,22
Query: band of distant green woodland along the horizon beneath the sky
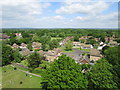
x,y
64,32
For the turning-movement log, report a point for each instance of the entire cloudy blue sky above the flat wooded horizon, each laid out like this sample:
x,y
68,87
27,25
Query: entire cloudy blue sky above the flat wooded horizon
x,y
58,14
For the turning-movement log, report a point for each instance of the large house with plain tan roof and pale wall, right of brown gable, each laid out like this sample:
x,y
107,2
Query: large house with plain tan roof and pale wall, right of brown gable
x,y
95,55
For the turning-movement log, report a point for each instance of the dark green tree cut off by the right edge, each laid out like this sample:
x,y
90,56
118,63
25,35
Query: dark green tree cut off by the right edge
x,y
113,57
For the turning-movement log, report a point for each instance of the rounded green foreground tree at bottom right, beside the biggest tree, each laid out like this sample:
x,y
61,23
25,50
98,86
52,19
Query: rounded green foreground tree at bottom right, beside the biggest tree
x,y
100,75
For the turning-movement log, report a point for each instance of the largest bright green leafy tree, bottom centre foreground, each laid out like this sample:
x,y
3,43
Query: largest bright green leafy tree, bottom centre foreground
x,y
64,73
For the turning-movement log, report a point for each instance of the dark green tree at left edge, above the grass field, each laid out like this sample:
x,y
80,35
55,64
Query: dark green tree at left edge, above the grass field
x,y
7,54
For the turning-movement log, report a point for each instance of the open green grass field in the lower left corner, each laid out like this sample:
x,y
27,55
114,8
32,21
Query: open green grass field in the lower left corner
x,y
12,78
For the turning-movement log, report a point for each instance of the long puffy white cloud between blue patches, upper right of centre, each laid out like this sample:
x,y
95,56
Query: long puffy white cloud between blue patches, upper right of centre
x,y
82,8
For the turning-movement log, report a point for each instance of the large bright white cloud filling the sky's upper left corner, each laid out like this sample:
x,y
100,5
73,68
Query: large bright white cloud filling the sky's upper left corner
x,y
12,9
